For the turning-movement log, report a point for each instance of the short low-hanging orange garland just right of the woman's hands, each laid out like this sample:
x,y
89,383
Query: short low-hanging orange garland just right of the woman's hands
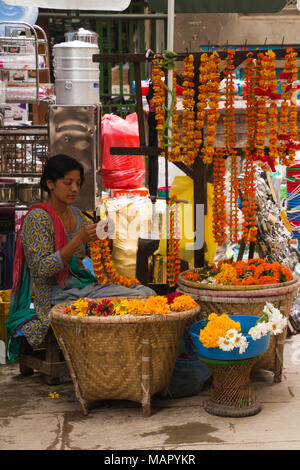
x,y
173,258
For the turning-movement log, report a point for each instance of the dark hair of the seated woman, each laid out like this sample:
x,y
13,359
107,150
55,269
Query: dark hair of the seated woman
x,y
57,167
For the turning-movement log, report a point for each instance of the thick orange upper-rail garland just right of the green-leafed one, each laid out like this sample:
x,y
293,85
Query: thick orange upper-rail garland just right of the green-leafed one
x,y
189,151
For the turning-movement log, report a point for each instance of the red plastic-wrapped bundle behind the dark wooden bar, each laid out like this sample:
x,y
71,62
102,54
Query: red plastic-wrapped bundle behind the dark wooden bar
x,y
121,171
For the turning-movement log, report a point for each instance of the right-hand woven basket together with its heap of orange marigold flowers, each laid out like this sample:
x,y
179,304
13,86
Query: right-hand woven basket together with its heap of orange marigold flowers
x,y
244,288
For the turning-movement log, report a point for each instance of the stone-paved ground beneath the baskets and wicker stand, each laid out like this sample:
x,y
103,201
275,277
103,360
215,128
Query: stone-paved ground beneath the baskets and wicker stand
x,y
30,420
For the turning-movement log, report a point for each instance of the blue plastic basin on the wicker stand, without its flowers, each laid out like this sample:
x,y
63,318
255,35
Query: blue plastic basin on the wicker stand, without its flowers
x,y
255,348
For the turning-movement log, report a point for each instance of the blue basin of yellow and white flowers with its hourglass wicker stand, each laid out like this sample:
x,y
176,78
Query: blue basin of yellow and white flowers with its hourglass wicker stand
x,y
230,345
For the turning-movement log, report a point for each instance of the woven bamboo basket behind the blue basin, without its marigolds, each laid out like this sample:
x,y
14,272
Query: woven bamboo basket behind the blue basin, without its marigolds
x,y
245,301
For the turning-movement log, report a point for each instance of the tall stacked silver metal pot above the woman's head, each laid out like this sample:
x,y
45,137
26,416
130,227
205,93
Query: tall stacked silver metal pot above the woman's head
x,y
76,75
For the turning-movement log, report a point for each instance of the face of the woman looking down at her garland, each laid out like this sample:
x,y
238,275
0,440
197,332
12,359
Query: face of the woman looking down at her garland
x,y
65,189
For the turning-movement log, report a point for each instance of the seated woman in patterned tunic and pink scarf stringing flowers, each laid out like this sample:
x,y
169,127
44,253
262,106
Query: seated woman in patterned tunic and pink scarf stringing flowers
x,y
50,248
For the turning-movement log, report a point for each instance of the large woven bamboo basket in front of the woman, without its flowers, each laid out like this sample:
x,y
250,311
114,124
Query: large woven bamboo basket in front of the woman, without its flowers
x,y
128,357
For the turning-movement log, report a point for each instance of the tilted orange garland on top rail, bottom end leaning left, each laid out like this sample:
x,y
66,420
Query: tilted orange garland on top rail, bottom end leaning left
x,y
213,114
